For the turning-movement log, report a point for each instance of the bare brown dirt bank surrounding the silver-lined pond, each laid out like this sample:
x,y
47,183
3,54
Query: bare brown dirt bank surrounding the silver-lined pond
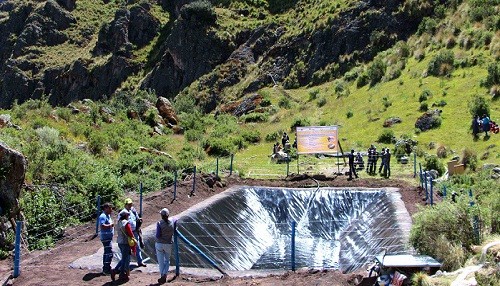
x,y
50,268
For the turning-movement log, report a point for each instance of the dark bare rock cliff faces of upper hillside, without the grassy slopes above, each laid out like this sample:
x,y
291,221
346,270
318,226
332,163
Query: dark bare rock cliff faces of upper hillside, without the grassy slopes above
x,y
190,51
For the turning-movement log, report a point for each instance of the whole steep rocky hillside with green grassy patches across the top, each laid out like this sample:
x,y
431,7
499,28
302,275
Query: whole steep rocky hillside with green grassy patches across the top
x,y
68,50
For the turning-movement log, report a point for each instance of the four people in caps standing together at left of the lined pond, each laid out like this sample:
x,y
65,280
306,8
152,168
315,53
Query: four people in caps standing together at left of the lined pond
x,y
129,240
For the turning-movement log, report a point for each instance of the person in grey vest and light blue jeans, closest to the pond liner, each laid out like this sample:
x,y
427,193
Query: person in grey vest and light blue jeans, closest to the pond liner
x,y
163,244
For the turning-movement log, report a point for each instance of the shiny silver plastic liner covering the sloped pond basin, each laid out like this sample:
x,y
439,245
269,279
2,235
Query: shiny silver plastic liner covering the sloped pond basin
x,y
250,227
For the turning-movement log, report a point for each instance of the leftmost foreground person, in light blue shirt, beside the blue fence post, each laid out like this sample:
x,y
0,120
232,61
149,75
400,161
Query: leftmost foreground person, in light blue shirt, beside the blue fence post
x,y
107,231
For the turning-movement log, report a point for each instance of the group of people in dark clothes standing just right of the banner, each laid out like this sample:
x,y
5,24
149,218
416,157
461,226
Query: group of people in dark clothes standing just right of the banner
x,y
371,168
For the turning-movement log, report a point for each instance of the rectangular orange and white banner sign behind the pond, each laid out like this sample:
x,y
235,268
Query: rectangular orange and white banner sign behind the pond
x,y
317,139
